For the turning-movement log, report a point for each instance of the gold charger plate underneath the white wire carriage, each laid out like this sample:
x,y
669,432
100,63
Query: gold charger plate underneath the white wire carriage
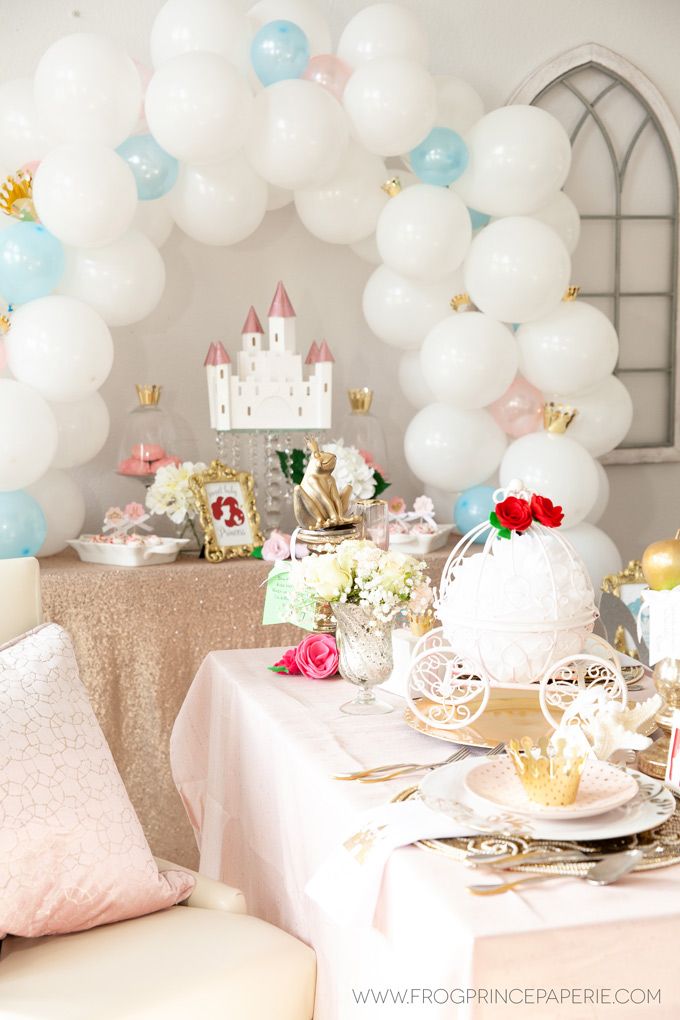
x,y
509,715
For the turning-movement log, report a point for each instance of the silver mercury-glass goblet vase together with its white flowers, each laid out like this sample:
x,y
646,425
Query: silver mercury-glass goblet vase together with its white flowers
x,y
367,588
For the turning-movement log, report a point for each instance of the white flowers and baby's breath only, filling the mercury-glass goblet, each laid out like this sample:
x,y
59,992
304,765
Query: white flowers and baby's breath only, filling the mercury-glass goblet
x,y
361,574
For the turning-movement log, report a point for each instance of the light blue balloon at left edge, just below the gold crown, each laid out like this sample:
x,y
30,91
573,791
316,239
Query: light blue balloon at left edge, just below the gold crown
x,y
32,263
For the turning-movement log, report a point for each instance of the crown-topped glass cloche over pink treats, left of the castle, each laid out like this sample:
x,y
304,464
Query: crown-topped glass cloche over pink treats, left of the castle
x,y
149,438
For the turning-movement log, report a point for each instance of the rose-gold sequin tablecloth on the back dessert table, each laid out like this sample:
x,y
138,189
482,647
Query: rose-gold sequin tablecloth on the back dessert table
x,y
140,636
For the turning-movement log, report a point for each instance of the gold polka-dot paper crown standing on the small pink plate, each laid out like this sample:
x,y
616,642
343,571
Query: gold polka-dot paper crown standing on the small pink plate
x,y
549,774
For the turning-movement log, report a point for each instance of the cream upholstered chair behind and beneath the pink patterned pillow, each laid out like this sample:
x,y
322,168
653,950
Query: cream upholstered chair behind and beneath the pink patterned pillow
x,y
205,959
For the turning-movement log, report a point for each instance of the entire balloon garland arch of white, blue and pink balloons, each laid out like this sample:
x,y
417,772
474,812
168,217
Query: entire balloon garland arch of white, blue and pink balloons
x,y
249,113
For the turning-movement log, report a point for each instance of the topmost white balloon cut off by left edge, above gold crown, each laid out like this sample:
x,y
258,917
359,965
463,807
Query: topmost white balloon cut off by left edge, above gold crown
x,y
24,138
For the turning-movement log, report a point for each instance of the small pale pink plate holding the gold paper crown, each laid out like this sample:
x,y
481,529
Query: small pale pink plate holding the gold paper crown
x,y
495,782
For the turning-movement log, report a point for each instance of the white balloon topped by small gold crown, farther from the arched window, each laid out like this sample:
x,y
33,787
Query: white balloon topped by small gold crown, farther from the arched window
x,y
469,361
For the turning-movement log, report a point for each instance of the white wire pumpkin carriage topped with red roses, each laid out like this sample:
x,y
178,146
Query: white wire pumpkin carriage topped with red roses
x,y
517,615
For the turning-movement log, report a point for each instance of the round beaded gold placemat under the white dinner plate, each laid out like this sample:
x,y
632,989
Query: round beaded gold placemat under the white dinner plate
x,y
662,845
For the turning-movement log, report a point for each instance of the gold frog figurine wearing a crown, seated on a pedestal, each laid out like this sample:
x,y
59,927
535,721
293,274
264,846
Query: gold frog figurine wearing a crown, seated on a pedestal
x,y
317,502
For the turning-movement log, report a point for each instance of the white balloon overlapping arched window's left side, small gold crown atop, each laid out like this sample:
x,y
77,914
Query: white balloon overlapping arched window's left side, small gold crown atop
x,y
573,348
